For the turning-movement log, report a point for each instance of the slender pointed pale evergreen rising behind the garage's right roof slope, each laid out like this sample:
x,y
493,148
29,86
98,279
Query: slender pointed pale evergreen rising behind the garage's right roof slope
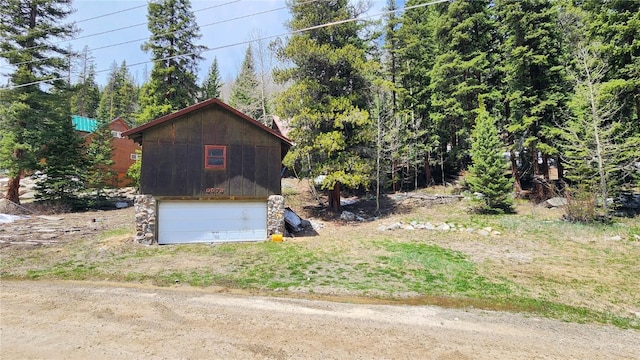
x,y
245,92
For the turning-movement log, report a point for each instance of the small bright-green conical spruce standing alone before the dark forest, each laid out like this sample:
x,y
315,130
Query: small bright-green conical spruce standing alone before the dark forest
x,y
487,173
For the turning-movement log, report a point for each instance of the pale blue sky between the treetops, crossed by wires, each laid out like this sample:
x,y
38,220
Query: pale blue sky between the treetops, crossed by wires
x,y
213,35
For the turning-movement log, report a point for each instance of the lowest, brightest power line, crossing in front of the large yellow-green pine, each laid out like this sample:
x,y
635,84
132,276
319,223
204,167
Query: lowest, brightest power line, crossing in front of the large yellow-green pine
x,y
333,23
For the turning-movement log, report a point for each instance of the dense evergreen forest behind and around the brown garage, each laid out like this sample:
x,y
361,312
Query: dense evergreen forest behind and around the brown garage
x,y
385,103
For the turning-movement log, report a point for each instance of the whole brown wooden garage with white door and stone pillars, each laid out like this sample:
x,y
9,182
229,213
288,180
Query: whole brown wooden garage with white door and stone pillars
x,y
209,174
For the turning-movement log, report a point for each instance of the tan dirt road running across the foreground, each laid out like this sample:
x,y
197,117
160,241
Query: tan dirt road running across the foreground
x,y
66,320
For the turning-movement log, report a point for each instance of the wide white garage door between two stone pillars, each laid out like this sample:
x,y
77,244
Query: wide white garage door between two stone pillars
x,y
211,221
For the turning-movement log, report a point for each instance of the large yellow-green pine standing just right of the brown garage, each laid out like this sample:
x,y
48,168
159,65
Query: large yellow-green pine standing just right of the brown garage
x,y
328,97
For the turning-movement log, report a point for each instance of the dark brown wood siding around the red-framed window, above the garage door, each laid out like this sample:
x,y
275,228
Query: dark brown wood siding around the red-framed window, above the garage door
x,y
173,157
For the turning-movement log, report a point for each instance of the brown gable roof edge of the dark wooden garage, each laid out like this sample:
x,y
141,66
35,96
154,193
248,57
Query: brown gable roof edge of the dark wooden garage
x,y
136,133
